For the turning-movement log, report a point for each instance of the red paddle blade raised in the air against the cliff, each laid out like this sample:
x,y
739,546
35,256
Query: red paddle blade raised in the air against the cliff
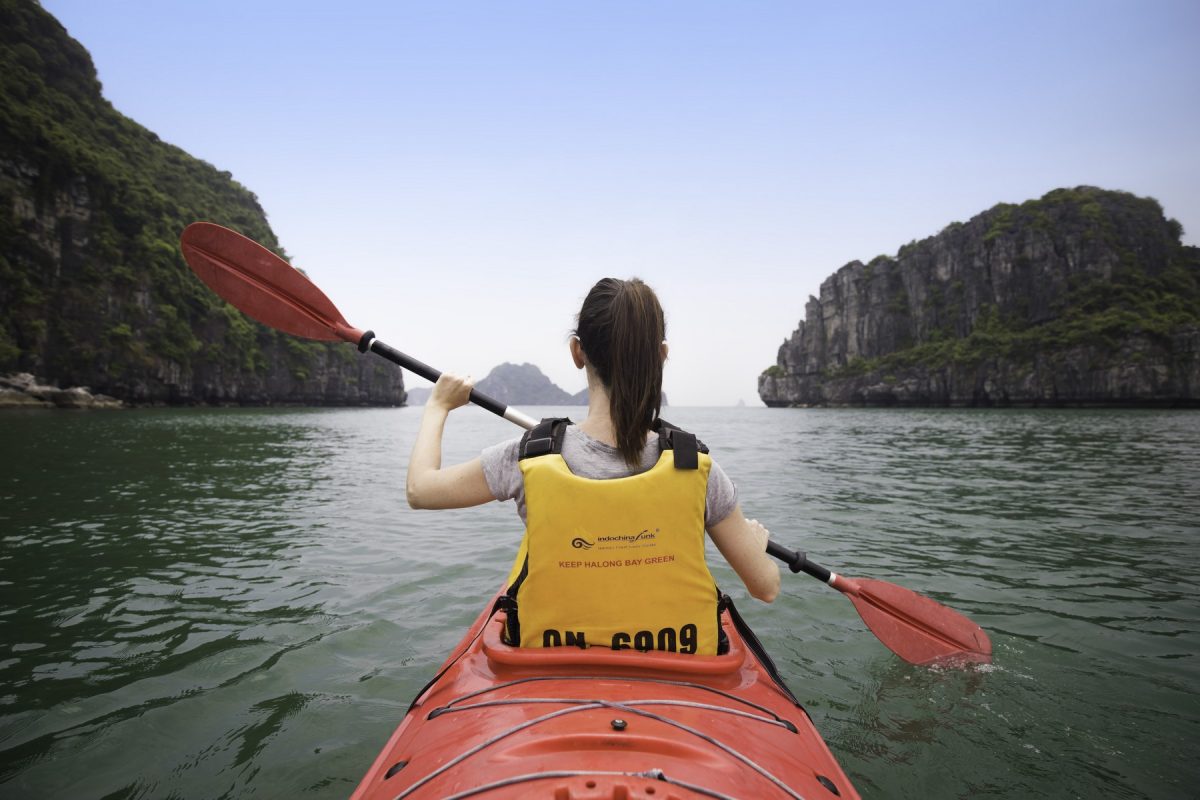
x,y
262,285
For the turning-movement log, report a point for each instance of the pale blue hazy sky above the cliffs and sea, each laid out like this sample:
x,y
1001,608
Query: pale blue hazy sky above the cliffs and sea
x,y
457,176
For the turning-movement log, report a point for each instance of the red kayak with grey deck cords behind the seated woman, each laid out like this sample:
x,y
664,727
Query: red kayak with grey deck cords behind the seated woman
x,y
595,724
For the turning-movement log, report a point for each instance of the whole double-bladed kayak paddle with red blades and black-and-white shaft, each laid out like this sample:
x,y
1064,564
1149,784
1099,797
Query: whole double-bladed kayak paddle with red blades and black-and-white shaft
x,y
262,285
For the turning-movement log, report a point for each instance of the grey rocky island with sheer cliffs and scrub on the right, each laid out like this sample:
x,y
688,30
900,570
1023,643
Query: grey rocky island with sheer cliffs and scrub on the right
x,y
1084,297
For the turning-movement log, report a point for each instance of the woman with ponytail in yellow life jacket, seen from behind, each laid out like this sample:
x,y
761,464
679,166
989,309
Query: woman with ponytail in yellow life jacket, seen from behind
x,y
616,508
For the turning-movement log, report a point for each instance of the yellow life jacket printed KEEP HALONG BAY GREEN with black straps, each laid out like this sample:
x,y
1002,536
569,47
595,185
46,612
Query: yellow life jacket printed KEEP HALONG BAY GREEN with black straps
x,y
614,563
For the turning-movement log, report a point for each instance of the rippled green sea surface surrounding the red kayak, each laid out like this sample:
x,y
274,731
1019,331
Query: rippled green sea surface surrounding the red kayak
x,y
230,604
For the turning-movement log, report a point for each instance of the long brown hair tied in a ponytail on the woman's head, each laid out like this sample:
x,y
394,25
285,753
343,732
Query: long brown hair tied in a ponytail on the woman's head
x,y
622,329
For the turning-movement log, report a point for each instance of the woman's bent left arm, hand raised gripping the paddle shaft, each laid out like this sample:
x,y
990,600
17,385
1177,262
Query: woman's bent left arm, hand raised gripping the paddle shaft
x,y
429,486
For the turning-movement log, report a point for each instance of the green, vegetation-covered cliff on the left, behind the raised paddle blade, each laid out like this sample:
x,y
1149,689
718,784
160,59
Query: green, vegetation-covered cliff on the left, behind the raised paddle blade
x,y
94,291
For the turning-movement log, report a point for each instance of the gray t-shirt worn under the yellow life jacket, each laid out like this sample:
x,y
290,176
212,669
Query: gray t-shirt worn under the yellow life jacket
x,y
590,459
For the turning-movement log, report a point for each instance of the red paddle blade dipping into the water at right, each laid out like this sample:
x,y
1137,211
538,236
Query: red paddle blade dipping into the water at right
x,y
917,629
